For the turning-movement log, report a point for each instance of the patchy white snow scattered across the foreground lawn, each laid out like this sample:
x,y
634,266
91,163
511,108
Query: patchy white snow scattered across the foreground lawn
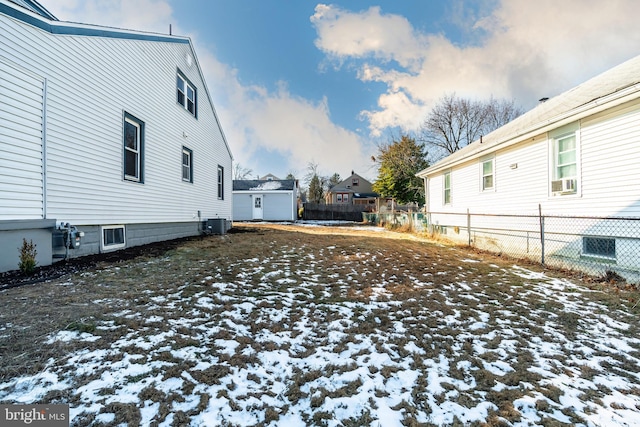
x,y
284,345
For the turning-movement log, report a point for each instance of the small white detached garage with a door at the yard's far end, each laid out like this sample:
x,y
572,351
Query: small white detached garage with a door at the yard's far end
x,y
268,200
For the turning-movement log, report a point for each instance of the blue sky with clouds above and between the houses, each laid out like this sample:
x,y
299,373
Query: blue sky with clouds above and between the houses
x,y
302,81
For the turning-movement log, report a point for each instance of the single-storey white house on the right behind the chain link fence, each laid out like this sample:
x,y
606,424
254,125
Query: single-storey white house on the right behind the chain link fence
x,y
576,154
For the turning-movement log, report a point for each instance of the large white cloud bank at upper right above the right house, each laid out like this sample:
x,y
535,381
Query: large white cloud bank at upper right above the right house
x,y
525,50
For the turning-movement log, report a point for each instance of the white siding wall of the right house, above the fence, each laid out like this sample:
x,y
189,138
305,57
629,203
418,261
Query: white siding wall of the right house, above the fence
x,y
609,184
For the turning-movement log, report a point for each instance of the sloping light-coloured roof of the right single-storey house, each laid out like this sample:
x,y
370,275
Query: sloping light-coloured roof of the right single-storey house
x,y
613,87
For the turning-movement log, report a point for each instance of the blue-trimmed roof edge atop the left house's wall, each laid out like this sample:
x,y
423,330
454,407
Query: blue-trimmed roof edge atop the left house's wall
x,y
55,26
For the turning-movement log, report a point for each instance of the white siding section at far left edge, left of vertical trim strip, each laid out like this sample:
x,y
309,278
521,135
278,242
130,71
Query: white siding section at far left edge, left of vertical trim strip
x,y
21,159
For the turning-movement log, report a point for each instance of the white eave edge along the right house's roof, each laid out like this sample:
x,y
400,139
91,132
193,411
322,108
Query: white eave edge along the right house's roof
x,y
598,105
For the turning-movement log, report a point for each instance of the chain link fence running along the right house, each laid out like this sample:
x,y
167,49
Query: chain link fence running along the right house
x,y
598,246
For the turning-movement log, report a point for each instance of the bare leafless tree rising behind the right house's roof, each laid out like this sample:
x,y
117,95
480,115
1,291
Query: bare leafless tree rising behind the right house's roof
x,y
456,122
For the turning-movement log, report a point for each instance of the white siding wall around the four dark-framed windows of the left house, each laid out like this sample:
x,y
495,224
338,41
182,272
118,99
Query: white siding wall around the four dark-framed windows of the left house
x,y
91,82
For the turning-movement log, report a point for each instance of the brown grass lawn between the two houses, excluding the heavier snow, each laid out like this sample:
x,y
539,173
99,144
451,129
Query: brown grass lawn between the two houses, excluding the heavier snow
x,y
438,298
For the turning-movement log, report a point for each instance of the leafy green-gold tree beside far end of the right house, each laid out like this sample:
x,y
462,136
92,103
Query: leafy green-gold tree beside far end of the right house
x,y
398,164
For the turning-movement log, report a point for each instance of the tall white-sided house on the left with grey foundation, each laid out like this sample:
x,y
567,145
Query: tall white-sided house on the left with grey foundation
x,y
110,131
